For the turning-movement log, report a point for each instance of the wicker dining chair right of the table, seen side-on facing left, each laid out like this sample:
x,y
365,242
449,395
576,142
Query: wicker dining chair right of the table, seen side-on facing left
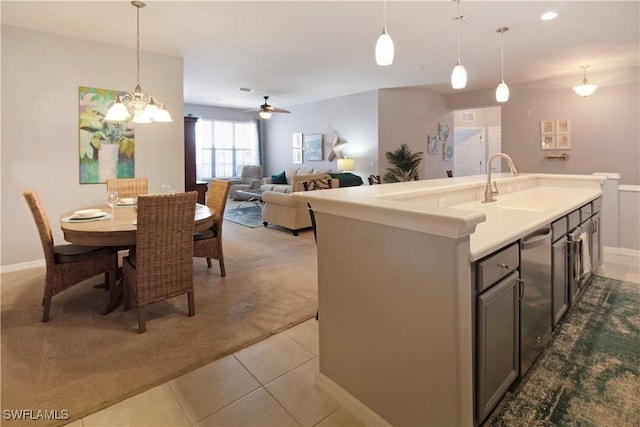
x,y
208,244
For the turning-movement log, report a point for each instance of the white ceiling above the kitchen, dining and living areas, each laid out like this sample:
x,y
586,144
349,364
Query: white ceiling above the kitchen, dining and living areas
x,y
304,51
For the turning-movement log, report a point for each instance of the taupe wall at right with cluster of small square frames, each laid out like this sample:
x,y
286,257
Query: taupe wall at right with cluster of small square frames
x,y
605,128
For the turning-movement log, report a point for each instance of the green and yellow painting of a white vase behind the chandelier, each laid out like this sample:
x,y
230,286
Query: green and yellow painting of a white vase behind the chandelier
x,y
106,148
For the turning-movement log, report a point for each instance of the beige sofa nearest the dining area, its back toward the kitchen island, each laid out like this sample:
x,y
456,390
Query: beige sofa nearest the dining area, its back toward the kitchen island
x,y
280,208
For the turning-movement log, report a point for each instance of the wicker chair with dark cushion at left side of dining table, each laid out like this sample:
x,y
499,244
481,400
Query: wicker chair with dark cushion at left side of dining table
x,y
68,265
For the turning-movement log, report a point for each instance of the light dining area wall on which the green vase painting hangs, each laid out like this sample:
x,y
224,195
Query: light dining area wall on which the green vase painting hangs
x,y
41,75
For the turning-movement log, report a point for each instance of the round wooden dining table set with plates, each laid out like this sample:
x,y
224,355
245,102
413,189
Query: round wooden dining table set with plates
x,y
117,229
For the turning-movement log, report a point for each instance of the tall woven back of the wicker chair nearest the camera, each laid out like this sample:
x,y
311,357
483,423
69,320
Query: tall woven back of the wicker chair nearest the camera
x,y
164,245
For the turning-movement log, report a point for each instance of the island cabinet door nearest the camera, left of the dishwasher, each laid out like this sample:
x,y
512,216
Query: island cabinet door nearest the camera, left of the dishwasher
x,y
498,342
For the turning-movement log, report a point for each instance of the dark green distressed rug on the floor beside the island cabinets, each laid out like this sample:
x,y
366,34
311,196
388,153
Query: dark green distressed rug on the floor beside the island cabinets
x,y
590,374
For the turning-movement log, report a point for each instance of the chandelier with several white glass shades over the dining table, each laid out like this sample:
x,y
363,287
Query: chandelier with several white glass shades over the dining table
x,y
145,108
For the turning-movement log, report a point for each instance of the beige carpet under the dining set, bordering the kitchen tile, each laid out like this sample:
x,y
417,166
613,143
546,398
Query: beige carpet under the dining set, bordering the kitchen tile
x,y
81,361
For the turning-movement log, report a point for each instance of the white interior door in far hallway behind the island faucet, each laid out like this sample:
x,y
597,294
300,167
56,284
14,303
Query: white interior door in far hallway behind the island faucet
x,y
469,148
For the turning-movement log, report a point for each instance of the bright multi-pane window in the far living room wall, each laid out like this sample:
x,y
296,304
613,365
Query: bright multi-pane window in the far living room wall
x,y
223,146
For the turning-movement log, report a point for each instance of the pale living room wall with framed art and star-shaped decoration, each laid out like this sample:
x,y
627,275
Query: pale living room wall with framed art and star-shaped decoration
x,y
353,117
